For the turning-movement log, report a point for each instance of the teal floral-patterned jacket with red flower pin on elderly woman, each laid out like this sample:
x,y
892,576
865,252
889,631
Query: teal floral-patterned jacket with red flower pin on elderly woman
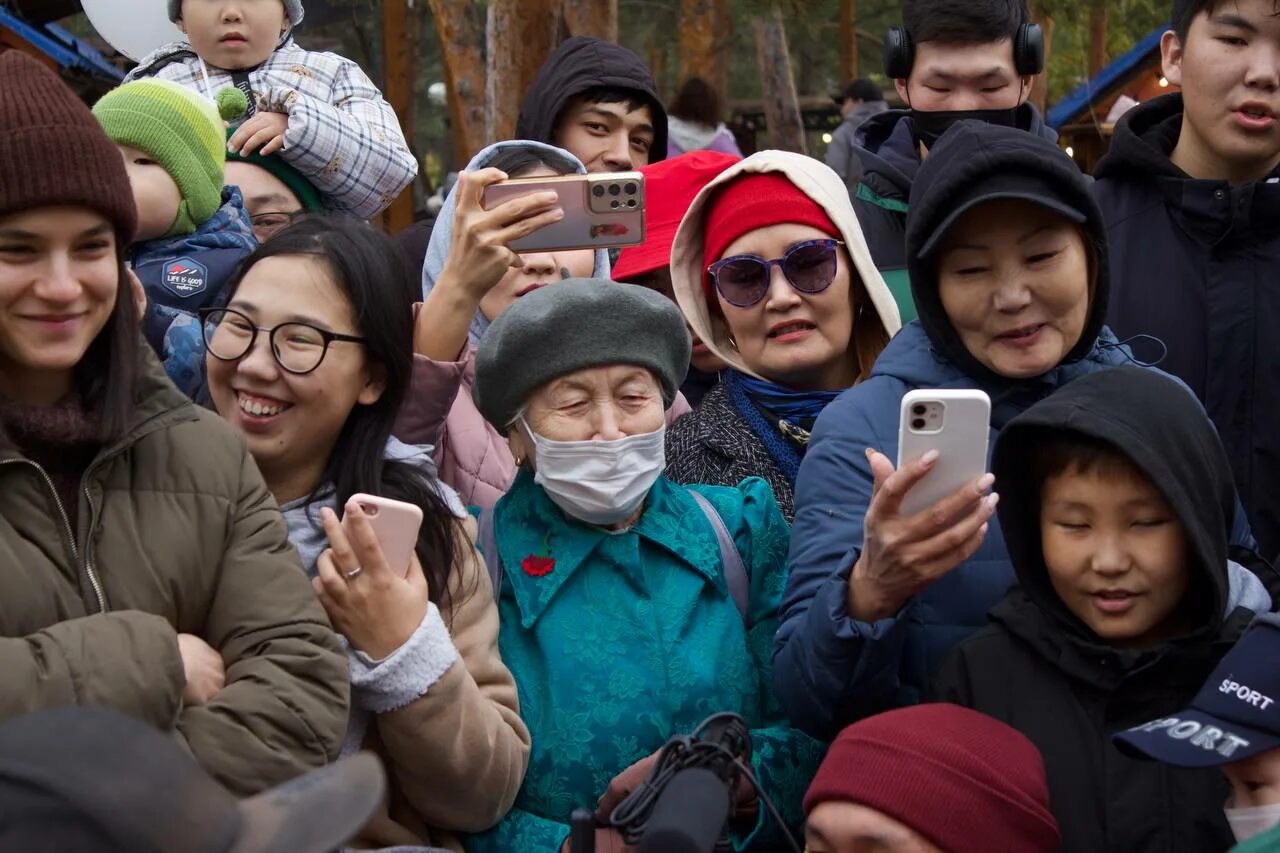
x,y
619,641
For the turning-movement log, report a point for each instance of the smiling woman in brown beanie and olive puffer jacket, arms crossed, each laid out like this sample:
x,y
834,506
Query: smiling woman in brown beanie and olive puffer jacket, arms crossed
x,y
145,564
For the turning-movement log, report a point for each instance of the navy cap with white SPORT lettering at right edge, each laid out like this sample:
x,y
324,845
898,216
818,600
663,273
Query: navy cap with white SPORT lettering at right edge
x,y
1233,718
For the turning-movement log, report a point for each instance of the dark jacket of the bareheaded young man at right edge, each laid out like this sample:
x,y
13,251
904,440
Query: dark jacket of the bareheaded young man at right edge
x,y
1195,264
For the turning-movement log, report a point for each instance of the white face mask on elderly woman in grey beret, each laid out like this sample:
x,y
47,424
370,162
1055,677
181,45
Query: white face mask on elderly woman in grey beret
x,y
600,482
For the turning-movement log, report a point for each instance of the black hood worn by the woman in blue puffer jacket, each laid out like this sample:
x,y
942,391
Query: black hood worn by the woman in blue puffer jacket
x,y
970,154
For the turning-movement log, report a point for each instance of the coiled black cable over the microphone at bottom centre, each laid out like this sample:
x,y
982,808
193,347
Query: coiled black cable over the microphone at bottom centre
x,y
685,752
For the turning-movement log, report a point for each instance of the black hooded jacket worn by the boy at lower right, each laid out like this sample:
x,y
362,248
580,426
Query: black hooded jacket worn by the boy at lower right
x,y
1041,670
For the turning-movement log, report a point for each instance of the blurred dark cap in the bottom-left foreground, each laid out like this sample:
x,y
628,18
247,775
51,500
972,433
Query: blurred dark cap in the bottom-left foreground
x,y
94,781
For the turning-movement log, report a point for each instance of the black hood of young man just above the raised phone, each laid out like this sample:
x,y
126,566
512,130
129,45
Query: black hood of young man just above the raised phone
x,y
578,66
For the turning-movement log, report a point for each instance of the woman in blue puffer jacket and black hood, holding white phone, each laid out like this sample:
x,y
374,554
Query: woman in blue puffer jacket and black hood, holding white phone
x,y
1008,259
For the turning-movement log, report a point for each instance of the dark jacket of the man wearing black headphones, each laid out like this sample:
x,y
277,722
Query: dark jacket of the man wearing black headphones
x,y
892,157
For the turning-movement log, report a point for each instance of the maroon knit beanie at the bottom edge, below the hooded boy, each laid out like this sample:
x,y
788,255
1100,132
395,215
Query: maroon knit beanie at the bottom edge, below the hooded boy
x,y
967,783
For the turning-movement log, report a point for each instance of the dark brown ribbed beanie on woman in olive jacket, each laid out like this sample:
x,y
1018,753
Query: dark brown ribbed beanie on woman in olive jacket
x,y
53,150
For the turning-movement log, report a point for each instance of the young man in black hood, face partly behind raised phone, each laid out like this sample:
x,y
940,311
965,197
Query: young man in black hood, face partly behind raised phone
x,y
600,102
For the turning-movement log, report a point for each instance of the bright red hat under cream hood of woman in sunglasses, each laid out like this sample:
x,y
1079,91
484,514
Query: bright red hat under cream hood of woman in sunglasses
x,y
757,200
